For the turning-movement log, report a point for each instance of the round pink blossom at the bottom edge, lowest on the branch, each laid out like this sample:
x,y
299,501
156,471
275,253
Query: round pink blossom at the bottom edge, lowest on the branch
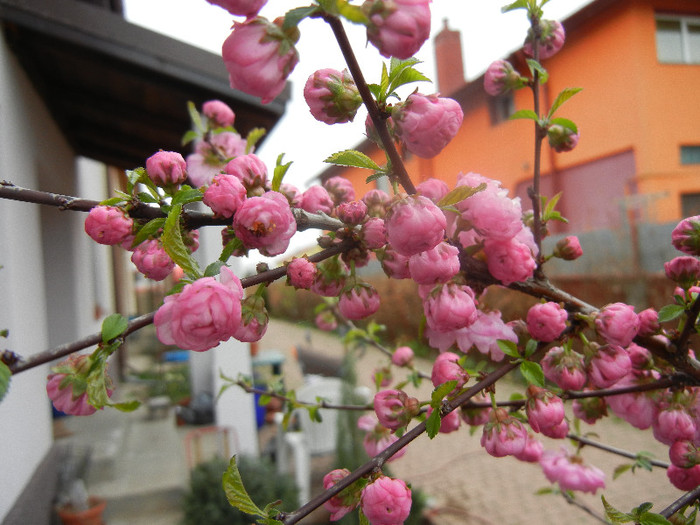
x,y
386,501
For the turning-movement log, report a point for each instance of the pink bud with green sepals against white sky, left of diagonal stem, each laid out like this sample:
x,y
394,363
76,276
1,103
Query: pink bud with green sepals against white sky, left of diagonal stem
x,y
332,96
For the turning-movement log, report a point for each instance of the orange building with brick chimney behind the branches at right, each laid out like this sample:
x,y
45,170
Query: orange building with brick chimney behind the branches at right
x,y
638,62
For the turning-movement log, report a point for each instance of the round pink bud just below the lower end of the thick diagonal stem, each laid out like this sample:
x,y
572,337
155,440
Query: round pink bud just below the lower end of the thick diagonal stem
x,y
415,224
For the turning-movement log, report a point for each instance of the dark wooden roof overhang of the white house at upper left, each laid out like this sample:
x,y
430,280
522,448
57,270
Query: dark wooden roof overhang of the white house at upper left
x,y
117,91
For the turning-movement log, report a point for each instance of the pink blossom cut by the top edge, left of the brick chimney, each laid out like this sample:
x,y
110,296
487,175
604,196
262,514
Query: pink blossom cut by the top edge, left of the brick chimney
x,y
399,28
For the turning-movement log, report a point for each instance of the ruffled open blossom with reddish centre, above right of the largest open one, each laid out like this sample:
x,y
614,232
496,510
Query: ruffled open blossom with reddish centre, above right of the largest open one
x,y
265,223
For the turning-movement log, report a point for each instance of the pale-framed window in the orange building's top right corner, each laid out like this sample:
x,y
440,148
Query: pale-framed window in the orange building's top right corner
x,y
678,39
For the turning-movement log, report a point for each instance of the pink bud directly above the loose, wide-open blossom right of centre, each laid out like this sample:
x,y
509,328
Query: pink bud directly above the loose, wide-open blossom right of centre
x,y
450,307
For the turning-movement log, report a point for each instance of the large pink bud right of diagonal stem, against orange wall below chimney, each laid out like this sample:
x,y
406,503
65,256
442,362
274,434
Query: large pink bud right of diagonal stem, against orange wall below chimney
x,y
427,123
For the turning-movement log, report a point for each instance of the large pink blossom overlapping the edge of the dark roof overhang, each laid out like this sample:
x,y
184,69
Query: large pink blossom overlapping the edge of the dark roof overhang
x,y
259,57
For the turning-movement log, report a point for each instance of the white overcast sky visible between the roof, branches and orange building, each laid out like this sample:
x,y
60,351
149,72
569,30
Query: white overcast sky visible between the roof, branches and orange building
x,y
486,35
